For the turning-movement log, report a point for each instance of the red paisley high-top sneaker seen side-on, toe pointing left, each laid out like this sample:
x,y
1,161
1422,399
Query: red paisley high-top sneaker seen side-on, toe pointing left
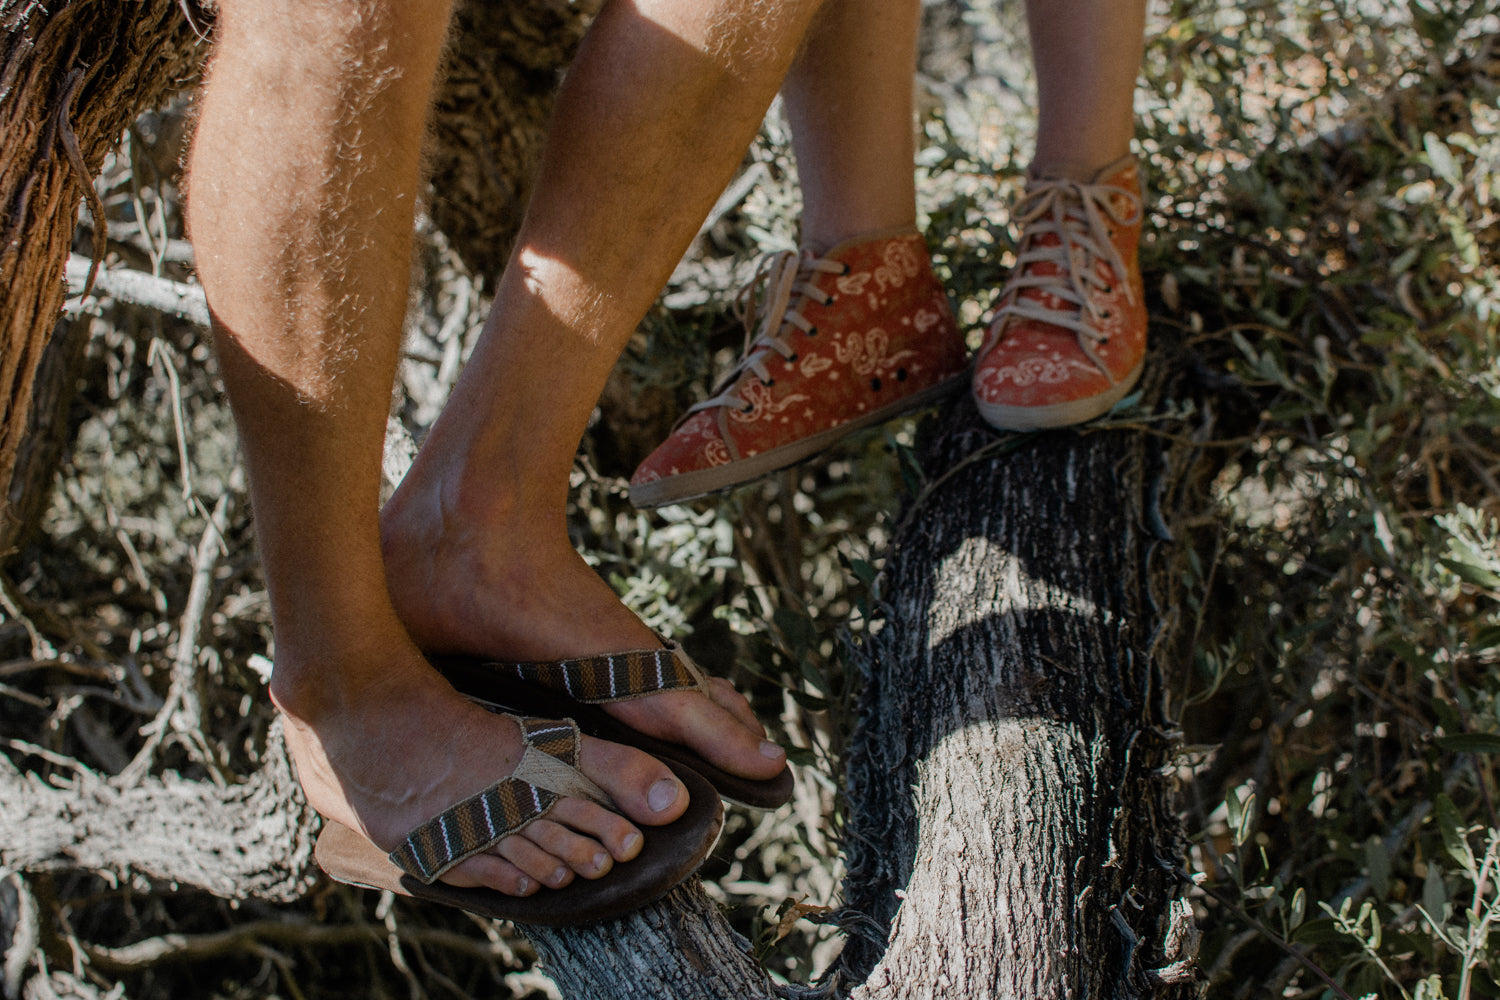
x,y
847,341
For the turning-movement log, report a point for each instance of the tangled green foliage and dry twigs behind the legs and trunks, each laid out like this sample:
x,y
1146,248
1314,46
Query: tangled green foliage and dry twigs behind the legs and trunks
x,y
1322,262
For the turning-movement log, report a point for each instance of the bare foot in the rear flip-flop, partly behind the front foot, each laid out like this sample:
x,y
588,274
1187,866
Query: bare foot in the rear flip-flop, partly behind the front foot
x,y
514,588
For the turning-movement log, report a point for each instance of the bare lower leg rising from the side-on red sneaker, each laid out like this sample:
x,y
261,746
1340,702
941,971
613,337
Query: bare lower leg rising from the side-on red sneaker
x,y
850,101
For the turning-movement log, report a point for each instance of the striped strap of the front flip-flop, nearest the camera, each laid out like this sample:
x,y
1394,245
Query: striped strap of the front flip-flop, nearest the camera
x,y
548,773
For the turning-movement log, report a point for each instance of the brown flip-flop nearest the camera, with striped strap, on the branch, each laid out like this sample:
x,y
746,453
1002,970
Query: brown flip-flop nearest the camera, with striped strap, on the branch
x,y
547,773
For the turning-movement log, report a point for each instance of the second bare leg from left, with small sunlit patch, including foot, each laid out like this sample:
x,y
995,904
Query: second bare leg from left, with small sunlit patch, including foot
x,y
476,537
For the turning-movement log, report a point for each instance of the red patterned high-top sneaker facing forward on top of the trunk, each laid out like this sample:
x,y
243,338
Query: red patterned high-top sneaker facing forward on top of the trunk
x,y
1070,335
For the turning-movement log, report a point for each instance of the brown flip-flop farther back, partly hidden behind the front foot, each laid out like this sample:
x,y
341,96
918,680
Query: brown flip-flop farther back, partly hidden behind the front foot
x,y
577,687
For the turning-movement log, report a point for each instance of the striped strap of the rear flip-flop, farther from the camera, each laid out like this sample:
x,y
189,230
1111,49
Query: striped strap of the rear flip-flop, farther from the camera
x,y
614,677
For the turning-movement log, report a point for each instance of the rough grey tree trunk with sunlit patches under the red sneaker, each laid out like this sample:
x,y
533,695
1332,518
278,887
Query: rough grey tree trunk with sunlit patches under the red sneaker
x,y
1013,831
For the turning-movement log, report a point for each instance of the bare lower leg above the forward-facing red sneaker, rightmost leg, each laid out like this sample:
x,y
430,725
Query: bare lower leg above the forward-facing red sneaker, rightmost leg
x,y
1088,58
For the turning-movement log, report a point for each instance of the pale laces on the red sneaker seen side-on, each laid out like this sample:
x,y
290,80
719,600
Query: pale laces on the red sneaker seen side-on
x,y
788,287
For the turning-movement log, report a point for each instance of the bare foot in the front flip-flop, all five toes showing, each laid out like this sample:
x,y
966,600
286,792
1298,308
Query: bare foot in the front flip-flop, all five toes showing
x,y
386,744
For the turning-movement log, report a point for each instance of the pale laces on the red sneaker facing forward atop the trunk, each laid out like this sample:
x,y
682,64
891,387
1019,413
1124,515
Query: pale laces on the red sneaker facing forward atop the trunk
x,y
1082,217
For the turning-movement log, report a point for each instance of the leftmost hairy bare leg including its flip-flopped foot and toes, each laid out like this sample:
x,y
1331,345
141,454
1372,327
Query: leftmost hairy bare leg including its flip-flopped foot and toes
x,y
304,182
